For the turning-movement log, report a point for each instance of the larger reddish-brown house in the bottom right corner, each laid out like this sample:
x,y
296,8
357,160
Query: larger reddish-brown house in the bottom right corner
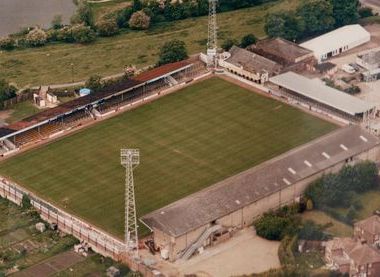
x,y
351,256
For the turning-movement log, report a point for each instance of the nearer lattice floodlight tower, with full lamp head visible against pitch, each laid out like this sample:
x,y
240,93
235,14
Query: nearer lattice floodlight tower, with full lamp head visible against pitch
x,y
130,159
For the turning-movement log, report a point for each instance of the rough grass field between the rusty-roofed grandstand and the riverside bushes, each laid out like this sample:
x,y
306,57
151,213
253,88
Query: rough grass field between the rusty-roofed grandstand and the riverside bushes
x,y
52,64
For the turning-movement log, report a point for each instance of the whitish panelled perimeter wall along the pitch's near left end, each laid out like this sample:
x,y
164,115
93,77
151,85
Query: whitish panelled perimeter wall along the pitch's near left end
x,y
99,241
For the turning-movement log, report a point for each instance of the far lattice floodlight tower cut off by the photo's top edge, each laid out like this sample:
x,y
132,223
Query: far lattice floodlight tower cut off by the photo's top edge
x,y
212,41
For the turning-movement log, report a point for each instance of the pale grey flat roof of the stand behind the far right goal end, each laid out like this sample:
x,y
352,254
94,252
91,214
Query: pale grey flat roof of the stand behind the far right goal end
x,y
318,91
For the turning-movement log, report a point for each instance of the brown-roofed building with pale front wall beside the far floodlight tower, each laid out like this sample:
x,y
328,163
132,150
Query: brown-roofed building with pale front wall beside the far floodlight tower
x,y
249,65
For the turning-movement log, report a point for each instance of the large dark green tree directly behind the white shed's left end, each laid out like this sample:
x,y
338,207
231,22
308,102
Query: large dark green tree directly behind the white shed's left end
x,y
317,16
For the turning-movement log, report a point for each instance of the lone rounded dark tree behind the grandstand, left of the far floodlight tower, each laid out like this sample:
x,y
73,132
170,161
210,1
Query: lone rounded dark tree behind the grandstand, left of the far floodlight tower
x,y
172,51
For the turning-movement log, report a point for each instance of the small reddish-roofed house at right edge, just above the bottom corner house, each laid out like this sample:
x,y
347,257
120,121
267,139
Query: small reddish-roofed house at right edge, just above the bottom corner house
x,y
368,230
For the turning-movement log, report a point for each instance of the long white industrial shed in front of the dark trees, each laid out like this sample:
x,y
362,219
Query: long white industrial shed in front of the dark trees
x,y
337,41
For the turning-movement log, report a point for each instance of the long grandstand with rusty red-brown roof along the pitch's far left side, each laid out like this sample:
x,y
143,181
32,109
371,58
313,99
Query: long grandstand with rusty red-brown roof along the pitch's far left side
x,y
76,112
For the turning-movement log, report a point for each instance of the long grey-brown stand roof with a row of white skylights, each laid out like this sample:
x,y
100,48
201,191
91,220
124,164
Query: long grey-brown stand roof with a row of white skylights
x,y
238,191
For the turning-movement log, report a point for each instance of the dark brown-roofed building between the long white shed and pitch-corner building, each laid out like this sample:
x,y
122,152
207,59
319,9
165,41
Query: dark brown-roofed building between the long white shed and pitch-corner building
x,y
290,55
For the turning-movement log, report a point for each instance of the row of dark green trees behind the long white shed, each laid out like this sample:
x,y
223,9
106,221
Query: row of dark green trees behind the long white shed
x,y
312,18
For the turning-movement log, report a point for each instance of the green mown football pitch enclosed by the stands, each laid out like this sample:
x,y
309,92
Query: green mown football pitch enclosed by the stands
x,y
187,140
